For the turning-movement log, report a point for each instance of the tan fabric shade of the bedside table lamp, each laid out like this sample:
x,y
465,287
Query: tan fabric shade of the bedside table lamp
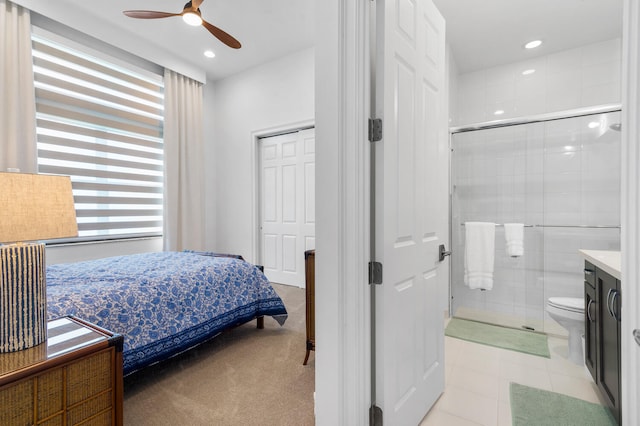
x,y
36,207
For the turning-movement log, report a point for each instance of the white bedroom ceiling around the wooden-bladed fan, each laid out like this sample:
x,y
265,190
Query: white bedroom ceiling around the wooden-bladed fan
x,y
267,29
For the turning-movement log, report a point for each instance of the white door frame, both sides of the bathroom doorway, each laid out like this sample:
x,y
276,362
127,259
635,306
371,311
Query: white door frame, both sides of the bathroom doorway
x,y
342,107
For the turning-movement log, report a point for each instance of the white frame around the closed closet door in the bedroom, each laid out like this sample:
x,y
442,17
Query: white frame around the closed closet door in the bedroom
x,y
256,182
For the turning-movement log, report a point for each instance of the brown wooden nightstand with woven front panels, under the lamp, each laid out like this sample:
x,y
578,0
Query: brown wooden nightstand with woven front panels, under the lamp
x,y
75,377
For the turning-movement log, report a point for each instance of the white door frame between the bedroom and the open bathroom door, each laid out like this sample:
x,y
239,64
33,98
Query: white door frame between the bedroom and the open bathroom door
x,y
343,323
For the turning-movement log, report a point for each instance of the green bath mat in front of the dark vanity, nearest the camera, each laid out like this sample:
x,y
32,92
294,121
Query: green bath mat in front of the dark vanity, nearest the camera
x,y
537,407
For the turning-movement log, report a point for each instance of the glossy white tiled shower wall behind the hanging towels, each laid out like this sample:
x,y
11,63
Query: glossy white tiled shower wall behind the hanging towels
x,y
563,172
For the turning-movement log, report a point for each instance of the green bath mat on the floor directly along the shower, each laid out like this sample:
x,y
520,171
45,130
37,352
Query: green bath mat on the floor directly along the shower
x,y
501,337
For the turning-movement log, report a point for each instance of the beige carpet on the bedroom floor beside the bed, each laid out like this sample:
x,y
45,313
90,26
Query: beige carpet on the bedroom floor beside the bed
x,y
243,377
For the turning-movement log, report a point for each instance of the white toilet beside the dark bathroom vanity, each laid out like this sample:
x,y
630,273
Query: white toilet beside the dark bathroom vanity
x,y
569,313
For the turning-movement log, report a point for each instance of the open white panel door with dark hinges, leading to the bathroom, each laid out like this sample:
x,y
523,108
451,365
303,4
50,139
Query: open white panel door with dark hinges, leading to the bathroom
x,y
408,207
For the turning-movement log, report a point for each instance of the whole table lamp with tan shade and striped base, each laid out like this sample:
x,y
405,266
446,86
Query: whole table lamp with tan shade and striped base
x,y
32,208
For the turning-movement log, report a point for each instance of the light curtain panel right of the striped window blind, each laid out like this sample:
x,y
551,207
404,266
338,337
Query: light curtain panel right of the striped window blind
x,y
183,158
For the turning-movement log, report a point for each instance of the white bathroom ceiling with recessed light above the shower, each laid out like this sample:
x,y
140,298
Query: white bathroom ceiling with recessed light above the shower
x,y
486,33
